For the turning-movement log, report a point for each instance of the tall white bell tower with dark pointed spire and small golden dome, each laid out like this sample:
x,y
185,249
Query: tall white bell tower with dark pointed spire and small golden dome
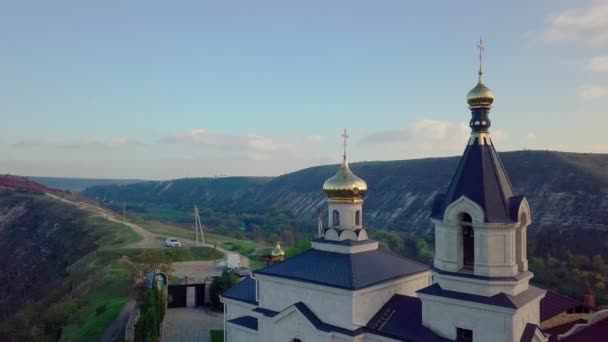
x,y
480,269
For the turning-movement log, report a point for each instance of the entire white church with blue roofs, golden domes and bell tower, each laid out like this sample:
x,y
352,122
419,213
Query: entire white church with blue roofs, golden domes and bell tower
x,y
347,289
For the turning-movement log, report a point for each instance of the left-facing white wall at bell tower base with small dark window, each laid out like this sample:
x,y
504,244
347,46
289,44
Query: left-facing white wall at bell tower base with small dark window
x,y
487,323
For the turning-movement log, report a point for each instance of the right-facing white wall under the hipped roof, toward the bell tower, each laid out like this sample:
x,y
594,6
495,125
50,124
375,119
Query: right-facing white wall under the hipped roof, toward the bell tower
x,y
368,301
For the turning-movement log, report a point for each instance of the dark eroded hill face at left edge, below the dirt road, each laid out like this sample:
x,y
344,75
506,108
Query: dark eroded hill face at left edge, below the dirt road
x,y
39,239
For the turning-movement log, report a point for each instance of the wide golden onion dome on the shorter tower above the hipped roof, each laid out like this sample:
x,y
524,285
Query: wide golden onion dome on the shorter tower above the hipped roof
x,y
345,184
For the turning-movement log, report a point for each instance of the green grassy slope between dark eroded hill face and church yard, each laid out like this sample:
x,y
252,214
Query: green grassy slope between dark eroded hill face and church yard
x,y
96,286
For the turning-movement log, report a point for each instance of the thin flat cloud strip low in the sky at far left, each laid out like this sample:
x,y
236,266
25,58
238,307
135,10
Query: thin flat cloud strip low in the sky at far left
x,y
86,144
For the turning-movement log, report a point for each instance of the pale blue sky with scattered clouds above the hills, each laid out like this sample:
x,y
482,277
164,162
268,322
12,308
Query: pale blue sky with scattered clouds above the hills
x,y
172,89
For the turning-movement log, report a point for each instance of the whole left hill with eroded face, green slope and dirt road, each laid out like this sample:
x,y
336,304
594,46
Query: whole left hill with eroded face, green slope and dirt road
x,y
71,265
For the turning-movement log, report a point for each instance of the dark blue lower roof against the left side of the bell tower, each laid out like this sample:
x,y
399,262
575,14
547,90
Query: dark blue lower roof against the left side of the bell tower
x,y
401,318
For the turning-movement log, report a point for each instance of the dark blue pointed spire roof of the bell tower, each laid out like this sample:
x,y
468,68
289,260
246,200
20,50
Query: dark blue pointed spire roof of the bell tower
x,y
480,176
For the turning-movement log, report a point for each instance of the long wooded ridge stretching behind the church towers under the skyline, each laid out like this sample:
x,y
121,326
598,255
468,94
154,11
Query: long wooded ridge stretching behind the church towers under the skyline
x,y
568,193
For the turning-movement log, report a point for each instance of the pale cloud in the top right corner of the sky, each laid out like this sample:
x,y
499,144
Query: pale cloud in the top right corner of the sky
x,y
585,25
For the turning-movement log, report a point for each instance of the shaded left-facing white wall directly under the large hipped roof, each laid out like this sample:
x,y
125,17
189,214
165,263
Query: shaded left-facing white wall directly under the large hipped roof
x,y
333,306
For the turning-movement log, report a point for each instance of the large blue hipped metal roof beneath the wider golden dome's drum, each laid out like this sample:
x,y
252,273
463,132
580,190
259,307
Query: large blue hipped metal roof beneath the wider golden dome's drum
x,y
346,271
